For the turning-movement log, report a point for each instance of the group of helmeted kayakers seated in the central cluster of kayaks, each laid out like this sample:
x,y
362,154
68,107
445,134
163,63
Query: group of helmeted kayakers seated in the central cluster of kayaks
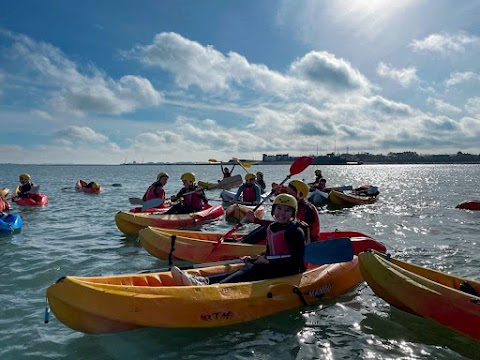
x,y
295,223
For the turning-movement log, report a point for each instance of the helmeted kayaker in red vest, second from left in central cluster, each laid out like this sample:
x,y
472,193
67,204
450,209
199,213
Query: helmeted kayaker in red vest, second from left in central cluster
x,y
191,195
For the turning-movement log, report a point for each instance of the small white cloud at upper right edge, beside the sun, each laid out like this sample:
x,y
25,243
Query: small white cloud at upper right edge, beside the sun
x,y
445,43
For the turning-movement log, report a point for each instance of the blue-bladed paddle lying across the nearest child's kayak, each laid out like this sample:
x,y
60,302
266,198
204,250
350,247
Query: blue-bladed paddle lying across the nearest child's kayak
x,y
317,253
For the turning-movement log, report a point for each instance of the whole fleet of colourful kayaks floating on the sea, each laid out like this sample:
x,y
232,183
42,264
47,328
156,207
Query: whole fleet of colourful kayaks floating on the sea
x,y
116,303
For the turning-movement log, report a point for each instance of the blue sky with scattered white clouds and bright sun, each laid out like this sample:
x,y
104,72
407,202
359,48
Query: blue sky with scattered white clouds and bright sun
x,y
108,82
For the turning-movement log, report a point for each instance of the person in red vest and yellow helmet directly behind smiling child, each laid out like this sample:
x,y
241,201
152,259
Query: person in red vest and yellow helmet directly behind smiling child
x,y
307,214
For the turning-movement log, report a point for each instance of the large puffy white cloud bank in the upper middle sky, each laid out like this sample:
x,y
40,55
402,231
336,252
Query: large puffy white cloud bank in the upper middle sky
x,y
314,75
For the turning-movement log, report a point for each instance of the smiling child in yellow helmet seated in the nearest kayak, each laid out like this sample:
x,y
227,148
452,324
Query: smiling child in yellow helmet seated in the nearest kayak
x,y
285,239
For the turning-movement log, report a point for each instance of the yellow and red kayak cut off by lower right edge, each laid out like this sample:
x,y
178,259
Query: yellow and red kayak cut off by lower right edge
x,y
446,299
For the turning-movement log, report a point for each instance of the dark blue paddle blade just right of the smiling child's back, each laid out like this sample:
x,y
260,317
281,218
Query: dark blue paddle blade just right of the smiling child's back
x,y
329,251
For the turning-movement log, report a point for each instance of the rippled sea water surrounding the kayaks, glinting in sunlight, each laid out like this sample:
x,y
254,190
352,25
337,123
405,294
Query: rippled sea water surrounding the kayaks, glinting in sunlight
x,y
76,234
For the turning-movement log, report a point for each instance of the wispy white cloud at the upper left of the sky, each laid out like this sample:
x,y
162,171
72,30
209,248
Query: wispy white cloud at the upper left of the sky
x,y
71,89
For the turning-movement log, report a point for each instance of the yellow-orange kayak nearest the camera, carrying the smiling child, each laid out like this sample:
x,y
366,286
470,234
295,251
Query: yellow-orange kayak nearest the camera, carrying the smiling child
x,y
109,304
